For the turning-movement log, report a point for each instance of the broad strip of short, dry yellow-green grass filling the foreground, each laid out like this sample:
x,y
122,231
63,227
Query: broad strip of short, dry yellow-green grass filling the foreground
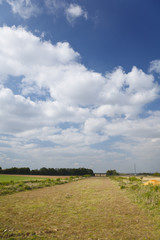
x,y
93,208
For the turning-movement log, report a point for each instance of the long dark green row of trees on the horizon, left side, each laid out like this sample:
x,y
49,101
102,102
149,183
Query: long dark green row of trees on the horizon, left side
x,y
48,171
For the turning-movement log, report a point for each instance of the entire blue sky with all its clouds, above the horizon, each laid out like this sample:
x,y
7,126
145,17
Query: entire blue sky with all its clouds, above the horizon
x,y
80,84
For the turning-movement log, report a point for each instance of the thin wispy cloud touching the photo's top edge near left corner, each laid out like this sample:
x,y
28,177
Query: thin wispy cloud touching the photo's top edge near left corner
x,y
25,8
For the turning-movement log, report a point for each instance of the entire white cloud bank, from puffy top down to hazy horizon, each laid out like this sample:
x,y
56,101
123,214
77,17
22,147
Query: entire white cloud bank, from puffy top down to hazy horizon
x,y
63,109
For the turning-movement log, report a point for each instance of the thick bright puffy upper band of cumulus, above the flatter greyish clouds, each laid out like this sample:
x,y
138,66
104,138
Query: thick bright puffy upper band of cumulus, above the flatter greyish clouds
x,y
56,70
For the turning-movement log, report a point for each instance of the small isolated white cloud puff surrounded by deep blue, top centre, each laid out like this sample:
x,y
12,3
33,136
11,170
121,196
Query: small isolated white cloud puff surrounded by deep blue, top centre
x,y
75,11
